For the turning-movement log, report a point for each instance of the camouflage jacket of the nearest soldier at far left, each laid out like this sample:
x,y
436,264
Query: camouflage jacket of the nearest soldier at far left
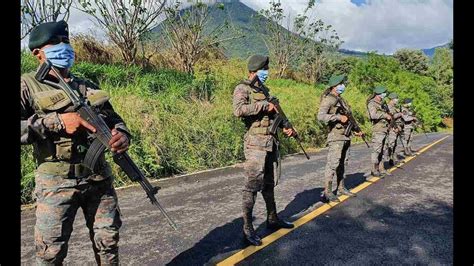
x,y
42,126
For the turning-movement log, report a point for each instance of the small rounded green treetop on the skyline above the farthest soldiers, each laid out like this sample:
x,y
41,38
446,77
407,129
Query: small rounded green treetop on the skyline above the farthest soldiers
x,y
412,60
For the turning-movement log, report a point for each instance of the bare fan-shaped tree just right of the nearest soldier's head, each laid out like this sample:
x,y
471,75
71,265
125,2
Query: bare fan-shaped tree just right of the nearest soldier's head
x,y
125,21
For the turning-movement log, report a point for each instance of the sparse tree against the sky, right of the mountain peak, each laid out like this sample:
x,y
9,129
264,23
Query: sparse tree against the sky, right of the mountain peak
x,y
303,35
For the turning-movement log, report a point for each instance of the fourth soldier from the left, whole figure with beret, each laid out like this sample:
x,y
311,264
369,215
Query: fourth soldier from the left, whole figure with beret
x,y
380,119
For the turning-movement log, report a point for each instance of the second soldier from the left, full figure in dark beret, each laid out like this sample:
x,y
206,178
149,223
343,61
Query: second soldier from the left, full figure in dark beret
x,y
260,148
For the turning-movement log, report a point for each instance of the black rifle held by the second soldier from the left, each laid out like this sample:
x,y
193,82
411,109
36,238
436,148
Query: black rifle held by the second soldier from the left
x,y
280,116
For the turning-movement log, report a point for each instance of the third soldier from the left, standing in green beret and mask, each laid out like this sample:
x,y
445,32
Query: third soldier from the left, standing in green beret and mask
x,y
338,143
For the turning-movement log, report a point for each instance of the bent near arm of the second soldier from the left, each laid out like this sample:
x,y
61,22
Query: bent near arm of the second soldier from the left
x,y
241,104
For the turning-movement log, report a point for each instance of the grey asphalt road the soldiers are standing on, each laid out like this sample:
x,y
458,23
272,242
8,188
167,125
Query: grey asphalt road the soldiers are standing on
x,y
207,209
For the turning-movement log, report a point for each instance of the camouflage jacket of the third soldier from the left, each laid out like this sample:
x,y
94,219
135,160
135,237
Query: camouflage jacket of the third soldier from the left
x,y
329,113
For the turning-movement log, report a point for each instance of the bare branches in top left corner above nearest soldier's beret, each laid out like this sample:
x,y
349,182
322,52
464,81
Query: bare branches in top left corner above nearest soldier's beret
x,y
34,12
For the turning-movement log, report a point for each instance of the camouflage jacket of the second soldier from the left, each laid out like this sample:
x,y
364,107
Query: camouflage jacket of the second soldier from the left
x,y
253,109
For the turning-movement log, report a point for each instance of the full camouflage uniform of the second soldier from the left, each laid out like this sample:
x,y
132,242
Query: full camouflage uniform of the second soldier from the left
x,y
261,152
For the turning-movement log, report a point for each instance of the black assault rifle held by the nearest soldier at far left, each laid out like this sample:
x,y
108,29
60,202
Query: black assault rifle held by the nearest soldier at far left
x,y
101,137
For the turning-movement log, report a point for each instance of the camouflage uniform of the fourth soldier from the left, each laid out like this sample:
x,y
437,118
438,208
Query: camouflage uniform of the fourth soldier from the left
x,y
379,131
